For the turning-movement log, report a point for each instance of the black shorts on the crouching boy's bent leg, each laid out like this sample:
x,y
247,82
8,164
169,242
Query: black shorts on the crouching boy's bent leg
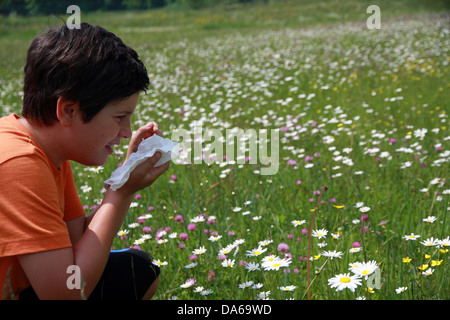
x,y
127,276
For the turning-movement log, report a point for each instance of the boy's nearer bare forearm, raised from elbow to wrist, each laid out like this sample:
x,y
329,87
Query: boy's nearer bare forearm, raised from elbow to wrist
x,y
92,250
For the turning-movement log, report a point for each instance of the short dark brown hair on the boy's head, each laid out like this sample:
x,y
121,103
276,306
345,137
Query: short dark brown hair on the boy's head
x,y
90,65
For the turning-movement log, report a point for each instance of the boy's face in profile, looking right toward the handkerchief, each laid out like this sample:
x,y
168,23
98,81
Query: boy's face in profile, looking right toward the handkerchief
x,y
95,140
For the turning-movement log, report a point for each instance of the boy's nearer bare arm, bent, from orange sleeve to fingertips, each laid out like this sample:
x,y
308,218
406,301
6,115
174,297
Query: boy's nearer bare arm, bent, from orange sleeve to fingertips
x,y
47,270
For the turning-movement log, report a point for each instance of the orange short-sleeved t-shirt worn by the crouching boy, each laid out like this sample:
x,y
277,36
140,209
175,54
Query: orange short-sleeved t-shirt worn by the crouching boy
x,y
36,200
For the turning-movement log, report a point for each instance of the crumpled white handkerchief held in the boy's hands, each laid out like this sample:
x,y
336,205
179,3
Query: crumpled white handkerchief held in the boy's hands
x,y
146,149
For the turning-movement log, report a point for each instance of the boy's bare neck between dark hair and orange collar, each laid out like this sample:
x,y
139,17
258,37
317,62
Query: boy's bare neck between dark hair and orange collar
x,y
49,139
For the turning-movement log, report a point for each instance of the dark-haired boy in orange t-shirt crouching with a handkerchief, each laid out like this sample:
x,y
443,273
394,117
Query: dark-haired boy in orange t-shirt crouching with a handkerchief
x,y
81,88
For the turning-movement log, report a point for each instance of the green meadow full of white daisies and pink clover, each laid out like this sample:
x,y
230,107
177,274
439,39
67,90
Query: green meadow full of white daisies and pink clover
x,y
363,112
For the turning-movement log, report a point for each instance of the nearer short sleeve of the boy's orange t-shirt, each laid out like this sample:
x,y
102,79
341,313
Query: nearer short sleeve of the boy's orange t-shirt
x,y
31,207
